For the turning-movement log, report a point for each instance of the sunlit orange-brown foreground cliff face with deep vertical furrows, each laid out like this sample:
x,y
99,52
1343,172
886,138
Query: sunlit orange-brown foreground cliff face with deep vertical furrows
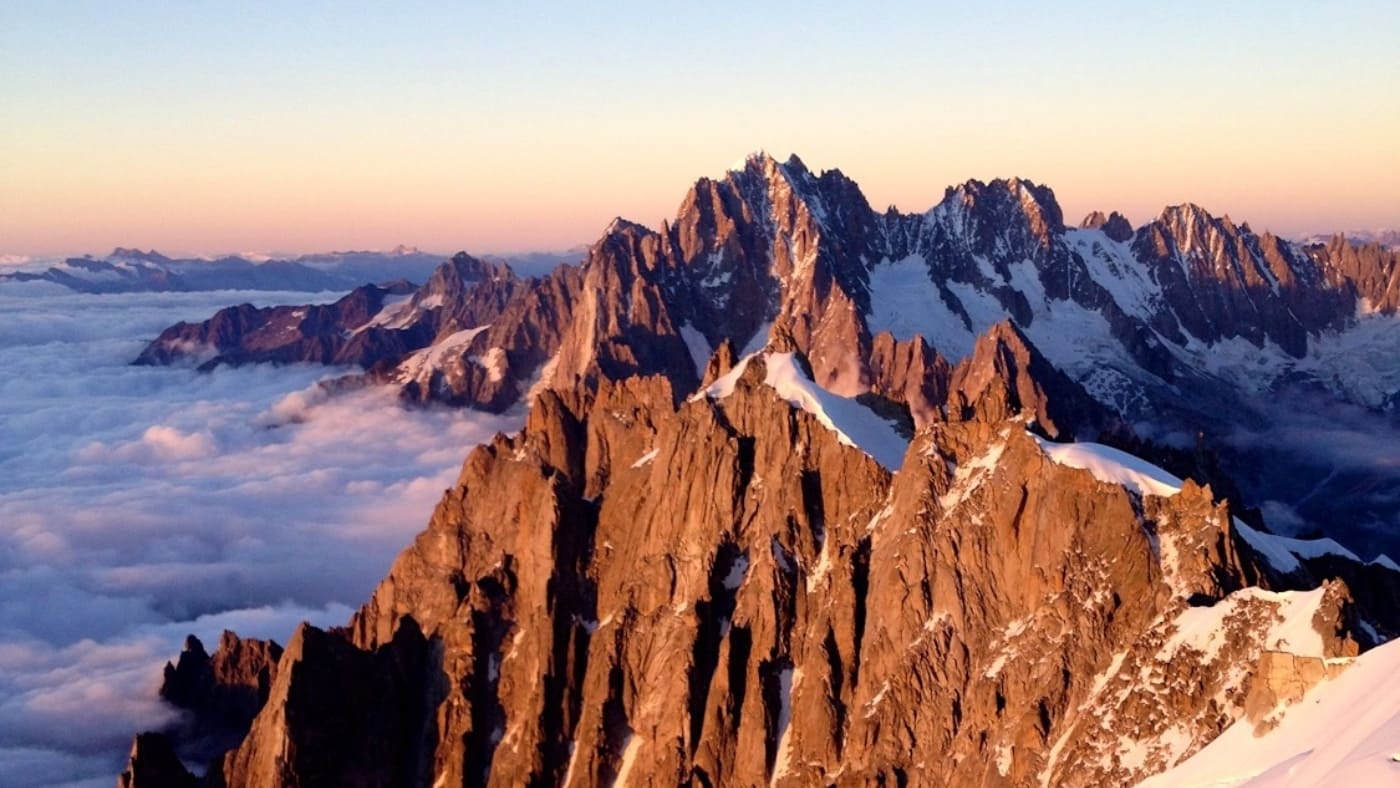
x,y
727,593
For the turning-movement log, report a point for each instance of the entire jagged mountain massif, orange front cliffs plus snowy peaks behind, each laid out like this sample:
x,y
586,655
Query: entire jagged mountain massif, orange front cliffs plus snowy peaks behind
x,y
811,493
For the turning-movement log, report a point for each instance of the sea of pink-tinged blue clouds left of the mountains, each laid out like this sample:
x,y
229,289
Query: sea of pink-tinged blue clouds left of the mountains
x,y
142,505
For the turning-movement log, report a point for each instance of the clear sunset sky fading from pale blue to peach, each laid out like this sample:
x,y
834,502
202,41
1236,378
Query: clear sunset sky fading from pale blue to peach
x,y
202,128
